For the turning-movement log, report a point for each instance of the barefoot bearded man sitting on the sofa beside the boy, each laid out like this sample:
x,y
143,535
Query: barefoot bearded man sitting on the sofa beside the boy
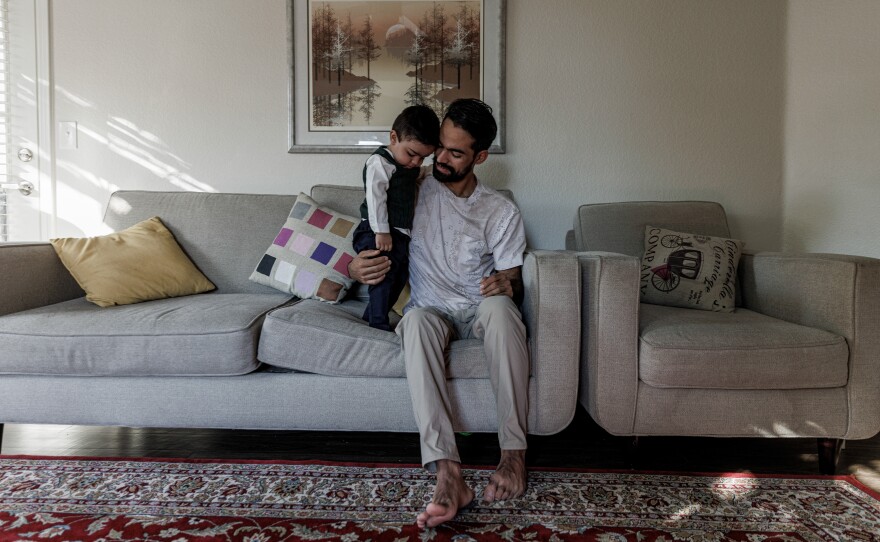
x,y
466,258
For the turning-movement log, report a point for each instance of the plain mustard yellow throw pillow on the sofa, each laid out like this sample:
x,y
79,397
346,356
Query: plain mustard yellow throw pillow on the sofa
x,y
137,264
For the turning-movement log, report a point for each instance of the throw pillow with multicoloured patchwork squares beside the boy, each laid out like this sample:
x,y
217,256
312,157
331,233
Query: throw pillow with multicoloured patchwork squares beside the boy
x,y
310,255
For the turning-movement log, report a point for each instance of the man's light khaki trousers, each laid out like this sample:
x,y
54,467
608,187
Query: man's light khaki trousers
x,y
426,332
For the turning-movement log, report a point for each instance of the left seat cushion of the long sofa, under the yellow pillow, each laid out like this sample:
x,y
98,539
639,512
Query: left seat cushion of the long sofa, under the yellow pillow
x,y
207,334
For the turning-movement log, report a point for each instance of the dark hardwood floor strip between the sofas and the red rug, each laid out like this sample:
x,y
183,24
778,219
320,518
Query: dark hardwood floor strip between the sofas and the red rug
x,y
583,445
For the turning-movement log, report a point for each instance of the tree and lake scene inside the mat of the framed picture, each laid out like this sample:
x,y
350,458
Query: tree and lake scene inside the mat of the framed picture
x,y
370,59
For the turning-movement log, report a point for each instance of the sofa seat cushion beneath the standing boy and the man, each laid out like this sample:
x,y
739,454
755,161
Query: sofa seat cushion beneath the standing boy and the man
x,y
333,340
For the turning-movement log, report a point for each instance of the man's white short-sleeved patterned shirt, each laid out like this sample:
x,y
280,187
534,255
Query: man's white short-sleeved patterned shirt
x,y
458,241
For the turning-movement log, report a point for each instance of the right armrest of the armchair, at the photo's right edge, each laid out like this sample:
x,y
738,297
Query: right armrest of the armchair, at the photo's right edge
x,y
837,293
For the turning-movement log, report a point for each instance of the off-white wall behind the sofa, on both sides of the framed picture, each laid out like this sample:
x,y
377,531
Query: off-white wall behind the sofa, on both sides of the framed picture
x,y
607,100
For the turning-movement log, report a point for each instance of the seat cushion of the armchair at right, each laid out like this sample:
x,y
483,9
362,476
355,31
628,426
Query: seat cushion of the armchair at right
x,y
685,348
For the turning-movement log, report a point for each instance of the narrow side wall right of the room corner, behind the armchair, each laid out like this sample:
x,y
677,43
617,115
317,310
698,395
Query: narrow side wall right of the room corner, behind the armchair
x,y
832,128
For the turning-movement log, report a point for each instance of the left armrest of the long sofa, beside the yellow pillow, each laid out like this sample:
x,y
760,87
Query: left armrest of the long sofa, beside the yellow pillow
x,y
33,276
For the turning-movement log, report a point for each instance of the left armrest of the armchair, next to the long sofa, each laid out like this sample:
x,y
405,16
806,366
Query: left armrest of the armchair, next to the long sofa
x,y
610,339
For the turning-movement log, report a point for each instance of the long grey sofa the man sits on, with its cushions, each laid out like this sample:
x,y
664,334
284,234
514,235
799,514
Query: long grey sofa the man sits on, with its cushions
x,y
248,356
